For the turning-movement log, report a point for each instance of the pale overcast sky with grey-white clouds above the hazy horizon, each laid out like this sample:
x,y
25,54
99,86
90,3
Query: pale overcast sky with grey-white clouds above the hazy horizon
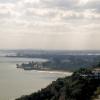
x,y
50,24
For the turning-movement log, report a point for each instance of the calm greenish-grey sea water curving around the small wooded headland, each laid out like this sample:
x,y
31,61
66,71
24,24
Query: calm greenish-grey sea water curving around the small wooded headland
x,y
17,82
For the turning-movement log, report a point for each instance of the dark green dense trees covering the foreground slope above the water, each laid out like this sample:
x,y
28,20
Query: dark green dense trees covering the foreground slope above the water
x,y
73,87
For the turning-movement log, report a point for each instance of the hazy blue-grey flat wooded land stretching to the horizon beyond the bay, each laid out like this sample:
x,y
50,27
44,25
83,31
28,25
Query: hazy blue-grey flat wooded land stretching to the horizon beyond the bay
x,y
59,59
